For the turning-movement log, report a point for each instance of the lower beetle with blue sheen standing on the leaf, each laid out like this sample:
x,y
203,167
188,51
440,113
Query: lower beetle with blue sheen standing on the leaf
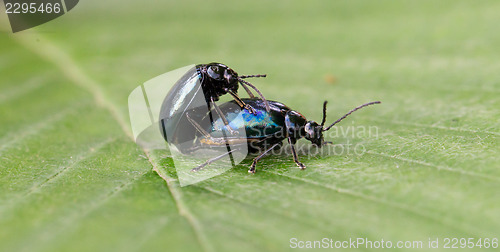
x,y
265,130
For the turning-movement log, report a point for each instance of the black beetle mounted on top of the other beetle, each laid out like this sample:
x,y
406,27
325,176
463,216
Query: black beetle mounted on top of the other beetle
x,y
197,91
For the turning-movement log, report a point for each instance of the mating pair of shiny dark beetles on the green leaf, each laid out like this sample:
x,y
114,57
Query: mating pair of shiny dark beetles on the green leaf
x,y
266,124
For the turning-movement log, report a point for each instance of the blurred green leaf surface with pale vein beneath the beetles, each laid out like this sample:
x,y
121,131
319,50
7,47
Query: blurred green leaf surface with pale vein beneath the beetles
x,y
72,179
